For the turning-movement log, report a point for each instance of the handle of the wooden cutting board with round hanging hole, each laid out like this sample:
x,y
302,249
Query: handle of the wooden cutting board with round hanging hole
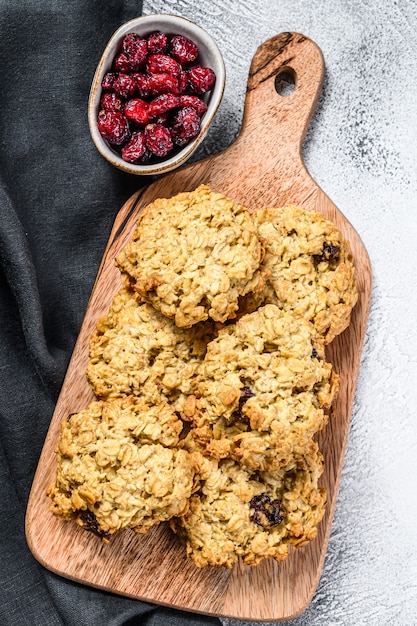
x,y
277,123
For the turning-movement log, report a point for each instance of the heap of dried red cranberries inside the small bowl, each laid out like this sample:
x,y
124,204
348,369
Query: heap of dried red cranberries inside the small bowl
x,y
149,102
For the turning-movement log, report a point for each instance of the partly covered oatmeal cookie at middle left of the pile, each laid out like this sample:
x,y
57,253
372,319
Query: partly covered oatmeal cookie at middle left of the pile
x,y
136,350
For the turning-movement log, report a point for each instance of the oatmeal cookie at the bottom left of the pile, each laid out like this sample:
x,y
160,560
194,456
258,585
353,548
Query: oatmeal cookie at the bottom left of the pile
x,y
119,467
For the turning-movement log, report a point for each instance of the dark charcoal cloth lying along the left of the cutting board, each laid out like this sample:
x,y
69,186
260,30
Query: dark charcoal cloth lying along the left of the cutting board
x,y
58,202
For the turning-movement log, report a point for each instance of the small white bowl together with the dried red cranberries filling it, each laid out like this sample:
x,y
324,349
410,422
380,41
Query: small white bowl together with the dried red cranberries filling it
x,y
155,92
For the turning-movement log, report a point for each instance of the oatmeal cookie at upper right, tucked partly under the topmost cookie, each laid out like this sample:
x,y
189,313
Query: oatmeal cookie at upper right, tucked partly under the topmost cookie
x,y
311,268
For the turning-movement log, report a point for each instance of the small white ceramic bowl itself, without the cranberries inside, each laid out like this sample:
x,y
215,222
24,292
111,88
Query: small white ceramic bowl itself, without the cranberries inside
x,y
209,55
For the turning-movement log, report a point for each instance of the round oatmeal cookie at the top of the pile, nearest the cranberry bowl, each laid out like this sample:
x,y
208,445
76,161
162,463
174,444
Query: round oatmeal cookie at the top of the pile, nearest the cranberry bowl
x,y
193,255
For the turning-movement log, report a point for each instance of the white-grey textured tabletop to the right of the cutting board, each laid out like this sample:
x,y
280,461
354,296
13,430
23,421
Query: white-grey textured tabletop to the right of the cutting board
x,y
361,148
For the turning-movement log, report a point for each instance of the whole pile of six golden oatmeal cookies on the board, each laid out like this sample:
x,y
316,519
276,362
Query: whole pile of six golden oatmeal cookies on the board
x,y
211,381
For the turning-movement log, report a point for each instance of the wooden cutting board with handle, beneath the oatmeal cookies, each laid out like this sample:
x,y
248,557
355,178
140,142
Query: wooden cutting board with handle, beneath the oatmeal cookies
x,y
263,167
